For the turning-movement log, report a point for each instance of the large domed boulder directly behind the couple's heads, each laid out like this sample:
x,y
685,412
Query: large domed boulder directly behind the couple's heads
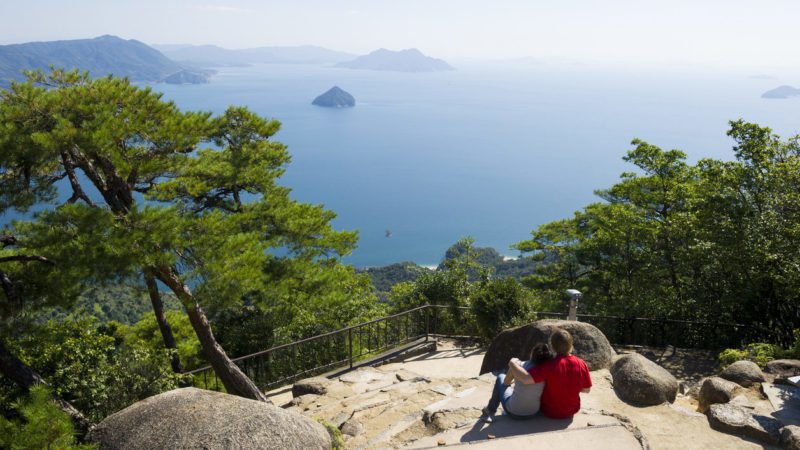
x,y
589,343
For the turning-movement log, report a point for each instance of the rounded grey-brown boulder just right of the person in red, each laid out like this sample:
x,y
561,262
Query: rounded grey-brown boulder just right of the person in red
x,y
639,381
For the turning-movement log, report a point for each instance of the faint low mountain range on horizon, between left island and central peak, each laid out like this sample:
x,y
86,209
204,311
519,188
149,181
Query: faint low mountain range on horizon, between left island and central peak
x,y
211,55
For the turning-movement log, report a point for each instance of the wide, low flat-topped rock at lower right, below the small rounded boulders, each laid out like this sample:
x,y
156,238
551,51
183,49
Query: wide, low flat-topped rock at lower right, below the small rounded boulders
x,y
733,419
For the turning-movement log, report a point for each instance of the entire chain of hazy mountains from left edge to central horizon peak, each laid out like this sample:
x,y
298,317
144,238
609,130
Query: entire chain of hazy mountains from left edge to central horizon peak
x,y
179,64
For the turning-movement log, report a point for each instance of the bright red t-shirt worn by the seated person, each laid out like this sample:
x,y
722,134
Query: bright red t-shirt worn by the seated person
x,y
564,377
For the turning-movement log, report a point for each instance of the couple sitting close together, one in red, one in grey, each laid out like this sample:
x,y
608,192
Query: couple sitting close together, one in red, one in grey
x,y
548,382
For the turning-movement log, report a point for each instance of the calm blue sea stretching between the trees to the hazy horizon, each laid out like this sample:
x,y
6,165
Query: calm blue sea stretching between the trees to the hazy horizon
x,y
489,150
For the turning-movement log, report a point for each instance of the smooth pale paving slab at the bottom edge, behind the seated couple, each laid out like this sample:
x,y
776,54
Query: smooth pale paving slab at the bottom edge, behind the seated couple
x,y
608,437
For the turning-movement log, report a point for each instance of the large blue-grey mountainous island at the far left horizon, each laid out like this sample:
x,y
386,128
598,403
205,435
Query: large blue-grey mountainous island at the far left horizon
x,y
101,56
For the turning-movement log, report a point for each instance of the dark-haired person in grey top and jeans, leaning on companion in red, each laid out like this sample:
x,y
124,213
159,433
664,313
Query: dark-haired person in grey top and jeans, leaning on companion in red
x,y
520,401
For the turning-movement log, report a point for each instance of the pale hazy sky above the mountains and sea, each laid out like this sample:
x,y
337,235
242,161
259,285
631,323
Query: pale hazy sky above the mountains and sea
x,y
714,32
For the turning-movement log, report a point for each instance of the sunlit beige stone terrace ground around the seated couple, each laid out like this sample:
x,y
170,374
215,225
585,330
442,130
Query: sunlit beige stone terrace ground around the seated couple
x,y
436,398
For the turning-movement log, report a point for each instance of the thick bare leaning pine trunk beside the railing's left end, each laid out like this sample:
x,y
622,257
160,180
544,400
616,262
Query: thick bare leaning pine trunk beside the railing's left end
x,y
234,380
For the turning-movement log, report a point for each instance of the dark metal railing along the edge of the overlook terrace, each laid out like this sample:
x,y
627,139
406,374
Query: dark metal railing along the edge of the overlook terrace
x,y
282,364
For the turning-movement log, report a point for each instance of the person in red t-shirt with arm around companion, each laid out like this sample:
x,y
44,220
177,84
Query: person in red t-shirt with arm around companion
x,y
565,377
